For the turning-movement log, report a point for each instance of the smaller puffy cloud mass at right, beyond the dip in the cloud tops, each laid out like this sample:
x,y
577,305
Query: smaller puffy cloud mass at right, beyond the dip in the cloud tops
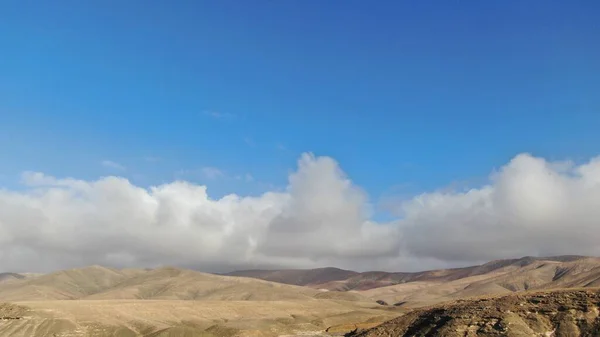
x,y
531,207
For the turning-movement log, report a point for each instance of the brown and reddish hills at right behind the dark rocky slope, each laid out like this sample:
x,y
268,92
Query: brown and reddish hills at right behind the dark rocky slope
x,y
427,287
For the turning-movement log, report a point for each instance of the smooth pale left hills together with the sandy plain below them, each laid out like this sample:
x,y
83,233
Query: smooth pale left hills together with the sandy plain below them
x,y
100,301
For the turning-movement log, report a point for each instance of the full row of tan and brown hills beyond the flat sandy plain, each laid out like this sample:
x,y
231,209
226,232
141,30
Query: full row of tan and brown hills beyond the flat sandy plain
x,y
412,289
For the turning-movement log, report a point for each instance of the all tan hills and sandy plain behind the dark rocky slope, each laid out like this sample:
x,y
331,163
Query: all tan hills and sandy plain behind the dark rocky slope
x,y
100,301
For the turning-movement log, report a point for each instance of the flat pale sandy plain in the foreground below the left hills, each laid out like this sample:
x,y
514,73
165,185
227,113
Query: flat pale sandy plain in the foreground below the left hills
x,y
185,318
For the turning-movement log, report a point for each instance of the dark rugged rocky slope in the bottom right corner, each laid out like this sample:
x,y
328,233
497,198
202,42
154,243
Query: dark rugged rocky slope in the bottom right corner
x,y
558,313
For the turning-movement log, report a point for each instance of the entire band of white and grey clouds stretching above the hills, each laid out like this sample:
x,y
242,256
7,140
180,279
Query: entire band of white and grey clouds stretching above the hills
x,y
529,207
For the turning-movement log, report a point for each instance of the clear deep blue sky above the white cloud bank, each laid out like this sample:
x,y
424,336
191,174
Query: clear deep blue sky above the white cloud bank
x,y
407,96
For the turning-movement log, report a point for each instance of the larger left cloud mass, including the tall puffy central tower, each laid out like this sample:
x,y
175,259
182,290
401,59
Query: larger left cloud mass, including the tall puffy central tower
x,y
58,223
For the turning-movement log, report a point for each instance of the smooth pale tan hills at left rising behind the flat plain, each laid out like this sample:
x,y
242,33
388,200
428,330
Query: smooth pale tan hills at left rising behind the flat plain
x,y
96,282
